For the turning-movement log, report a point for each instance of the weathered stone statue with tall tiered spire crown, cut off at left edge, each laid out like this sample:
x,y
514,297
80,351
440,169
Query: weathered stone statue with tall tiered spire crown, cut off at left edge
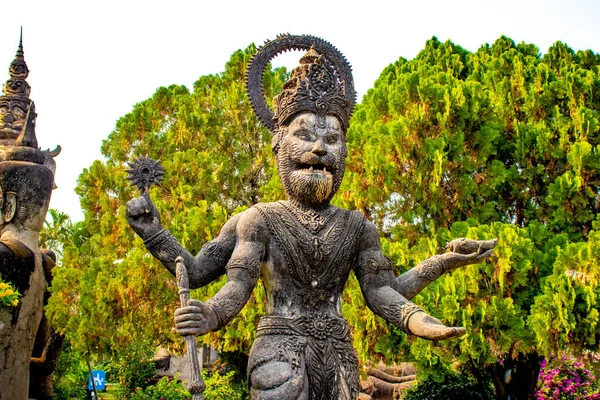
x,y
26,183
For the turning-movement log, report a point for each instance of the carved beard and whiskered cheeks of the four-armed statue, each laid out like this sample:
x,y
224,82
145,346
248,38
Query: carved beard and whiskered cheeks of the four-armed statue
x,y
309,189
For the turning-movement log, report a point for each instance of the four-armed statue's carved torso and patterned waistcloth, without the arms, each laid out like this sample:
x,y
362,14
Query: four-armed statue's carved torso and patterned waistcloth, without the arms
x,y
307,262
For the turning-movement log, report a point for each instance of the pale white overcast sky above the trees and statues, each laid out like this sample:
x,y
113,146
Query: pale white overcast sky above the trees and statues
x,y
90,62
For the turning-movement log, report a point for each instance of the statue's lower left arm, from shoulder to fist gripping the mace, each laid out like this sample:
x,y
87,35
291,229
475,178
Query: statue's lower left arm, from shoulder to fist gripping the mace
x,y
243,270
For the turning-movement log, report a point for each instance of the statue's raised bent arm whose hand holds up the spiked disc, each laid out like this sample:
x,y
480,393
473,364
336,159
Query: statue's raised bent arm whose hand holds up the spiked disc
x,y
202,269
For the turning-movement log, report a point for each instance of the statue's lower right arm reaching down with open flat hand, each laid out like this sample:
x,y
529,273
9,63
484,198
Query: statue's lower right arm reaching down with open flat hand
x,y
375,275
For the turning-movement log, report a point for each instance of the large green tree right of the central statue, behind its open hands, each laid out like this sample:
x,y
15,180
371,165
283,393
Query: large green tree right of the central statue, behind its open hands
x,y
502,142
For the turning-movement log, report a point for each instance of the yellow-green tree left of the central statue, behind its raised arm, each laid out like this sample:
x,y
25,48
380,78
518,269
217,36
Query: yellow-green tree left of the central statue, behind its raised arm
x,y
111,296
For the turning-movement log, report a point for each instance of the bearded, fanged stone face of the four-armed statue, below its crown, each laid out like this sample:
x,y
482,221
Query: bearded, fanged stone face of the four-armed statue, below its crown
x,y
311,158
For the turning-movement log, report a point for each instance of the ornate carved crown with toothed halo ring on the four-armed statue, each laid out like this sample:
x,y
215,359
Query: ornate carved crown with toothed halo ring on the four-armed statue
x,y
322,84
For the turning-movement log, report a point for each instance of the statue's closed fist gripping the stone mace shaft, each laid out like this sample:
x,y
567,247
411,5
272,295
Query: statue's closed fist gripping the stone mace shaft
x,y
195,319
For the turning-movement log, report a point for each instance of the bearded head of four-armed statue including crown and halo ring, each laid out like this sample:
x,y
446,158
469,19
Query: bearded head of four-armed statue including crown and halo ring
x,y
310,117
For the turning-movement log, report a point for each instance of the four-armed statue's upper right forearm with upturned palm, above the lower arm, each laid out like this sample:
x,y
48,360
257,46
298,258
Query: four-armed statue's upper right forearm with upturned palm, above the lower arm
x,y
462,252
